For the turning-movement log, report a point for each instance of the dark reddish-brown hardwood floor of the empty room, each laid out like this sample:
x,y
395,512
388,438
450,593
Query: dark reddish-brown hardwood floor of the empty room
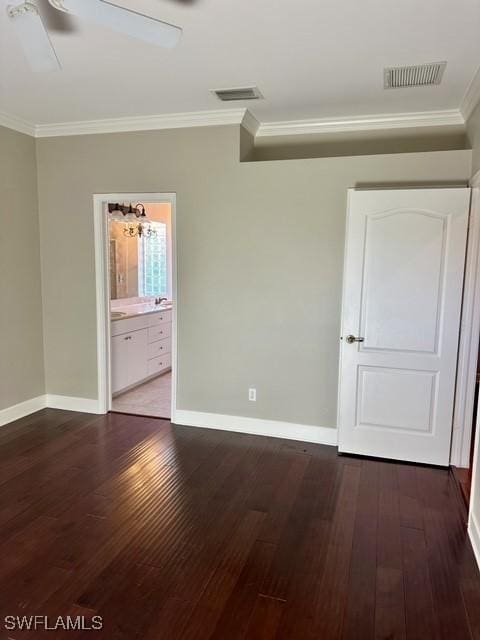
x,y
175,533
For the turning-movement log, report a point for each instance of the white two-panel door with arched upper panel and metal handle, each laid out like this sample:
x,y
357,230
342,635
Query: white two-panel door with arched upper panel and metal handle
x,y
403,279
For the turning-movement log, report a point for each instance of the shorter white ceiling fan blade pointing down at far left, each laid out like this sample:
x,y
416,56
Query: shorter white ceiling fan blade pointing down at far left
x,y
33,36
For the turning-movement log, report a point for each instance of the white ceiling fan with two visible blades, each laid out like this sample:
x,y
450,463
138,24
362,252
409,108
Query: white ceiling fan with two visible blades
x,y
38,48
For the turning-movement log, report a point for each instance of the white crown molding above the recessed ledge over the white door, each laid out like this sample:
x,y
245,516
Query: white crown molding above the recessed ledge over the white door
x,y
362,123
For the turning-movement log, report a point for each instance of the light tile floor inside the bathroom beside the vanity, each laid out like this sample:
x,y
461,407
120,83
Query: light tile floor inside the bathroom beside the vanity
x,y
150,399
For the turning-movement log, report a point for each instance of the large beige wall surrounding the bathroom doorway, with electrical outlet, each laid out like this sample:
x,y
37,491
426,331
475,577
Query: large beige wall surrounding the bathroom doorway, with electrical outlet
x,y
260,257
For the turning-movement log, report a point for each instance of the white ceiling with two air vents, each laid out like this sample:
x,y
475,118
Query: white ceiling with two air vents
x,y
310,59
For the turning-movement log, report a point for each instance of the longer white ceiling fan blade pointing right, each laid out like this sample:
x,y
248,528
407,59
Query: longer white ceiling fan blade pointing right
x,y
122,20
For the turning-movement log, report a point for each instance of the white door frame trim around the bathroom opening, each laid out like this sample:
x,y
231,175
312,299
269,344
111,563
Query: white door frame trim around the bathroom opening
x,y
102,287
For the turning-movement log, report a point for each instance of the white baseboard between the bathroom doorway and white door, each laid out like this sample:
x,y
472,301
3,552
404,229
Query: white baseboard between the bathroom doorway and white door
x,y
272,428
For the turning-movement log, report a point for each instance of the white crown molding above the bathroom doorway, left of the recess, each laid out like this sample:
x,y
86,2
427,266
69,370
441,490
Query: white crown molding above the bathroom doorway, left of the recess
x,y
142,123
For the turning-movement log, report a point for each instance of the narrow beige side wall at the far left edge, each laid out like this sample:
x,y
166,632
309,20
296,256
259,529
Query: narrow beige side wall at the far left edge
x,y
21,344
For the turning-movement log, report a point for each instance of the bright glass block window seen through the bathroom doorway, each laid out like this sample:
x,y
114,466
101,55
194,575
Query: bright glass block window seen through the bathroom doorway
x,y
153,263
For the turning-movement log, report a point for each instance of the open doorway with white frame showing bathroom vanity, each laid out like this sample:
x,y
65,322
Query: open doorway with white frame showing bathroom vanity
x,y
136,276
